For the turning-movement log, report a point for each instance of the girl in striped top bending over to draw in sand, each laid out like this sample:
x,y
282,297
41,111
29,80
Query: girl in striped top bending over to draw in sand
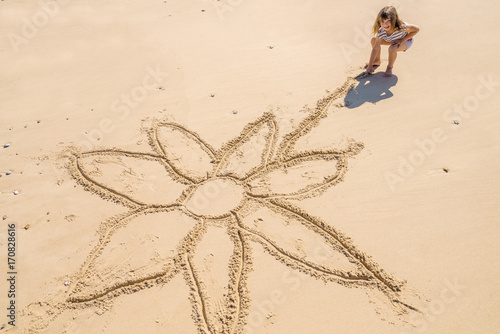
x,y
390,30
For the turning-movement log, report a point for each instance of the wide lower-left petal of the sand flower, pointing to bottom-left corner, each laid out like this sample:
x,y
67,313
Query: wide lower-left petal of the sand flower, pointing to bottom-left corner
x,y
117,235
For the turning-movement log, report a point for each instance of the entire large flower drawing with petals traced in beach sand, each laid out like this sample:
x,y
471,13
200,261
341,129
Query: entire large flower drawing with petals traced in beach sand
x,y
228,200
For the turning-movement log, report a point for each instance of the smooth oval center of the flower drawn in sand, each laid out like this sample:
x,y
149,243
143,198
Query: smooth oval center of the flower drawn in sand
x,y
215,197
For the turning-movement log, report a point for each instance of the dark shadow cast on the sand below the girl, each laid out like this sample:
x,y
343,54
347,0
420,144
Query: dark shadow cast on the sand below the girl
x,y
372,88
